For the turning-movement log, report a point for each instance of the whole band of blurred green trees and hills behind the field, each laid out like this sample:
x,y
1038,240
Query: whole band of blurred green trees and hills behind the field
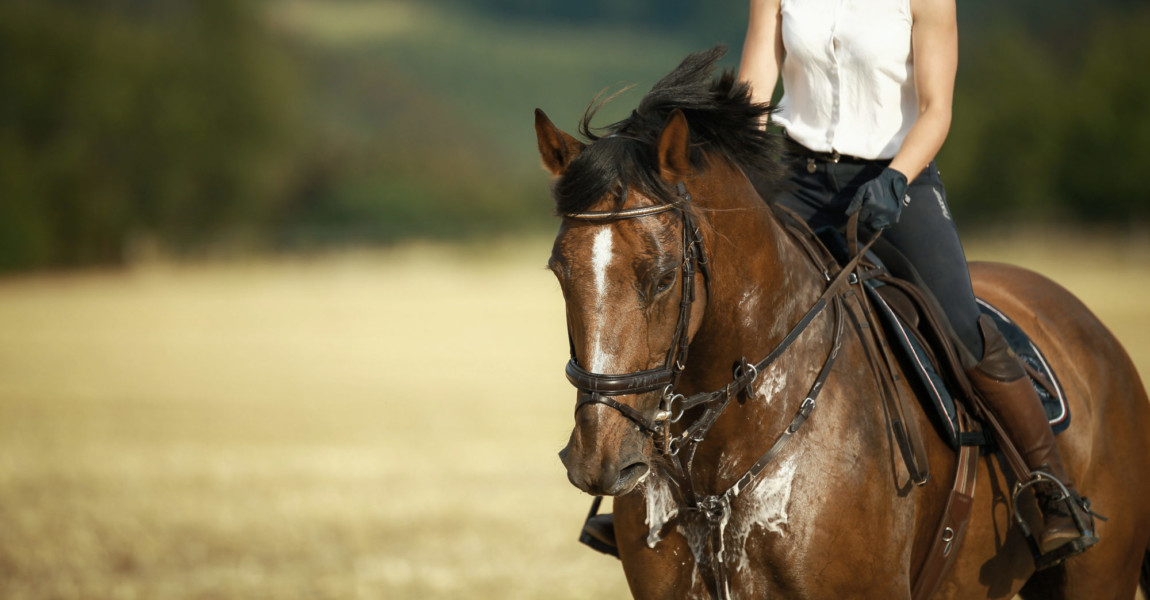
x,y
183,128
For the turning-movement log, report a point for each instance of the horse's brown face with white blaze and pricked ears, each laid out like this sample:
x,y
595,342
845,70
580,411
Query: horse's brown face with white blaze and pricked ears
x,y
620,265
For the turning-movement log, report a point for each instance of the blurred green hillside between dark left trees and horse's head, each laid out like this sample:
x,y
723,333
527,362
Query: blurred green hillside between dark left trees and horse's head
x,y
431,111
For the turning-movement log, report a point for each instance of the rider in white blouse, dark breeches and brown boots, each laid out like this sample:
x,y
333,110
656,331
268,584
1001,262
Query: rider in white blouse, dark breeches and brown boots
x,y
867,107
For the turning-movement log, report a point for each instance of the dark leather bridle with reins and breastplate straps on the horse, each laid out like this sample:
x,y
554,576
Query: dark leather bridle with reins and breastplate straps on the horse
x,y
680,448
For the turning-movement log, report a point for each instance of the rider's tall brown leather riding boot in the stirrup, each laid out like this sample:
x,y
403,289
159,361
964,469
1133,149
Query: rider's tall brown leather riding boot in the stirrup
x,y
1007,390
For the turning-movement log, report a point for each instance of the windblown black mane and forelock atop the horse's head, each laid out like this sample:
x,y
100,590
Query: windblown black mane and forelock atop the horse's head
x,y
722,118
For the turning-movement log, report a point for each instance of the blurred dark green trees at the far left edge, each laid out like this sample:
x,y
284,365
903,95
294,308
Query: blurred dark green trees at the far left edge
x,y
124,121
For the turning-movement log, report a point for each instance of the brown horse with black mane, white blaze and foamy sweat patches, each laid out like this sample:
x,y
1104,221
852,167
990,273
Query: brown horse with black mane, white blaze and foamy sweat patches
x,y
666,243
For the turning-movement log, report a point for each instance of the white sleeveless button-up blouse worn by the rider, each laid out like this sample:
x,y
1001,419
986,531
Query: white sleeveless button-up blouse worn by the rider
x,y
848,76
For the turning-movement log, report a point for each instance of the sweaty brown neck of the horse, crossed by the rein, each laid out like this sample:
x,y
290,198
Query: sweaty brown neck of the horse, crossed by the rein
x,y
763,283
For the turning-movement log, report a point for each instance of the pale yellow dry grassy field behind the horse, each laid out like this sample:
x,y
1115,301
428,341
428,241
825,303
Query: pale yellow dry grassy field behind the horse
x,y
365,426
